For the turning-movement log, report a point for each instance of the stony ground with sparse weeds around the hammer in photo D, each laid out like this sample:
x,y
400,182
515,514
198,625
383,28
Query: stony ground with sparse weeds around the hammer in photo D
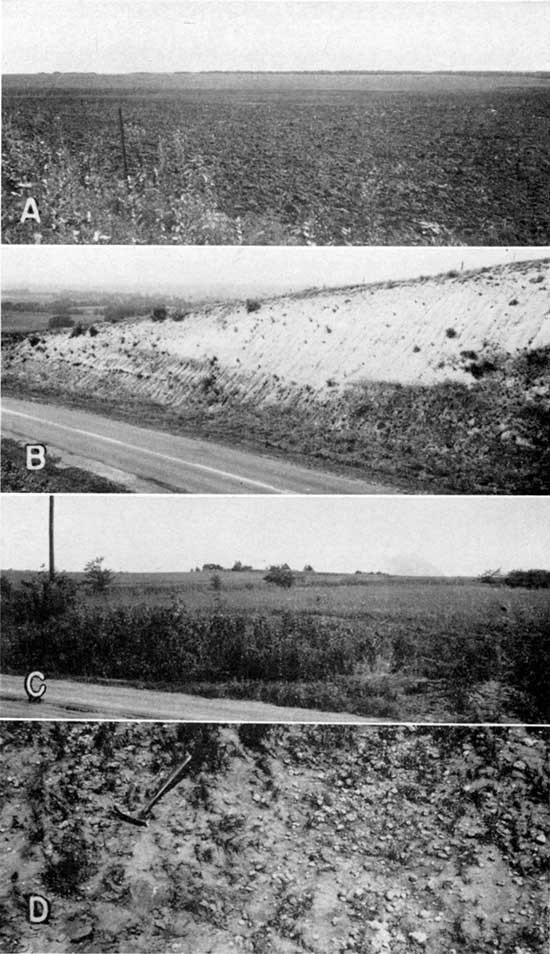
x,y
282,839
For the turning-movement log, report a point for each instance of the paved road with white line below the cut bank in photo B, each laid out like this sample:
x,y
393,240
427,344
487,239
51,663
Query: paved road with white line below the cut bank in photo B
x,y
180,463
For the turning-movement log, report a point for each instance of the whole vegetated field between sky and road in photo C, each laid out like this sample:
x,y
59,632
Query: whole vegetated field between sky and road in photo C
x,y
382,647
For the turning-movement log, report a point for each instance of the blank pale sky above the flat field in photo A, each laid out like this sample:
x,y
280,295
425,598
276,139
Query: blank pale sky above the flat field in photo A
x,y
120,36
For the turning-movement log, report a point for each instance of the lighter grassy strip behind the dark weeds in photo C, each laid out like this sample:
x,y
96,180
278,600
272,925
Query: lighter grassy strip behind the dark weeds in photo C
x,y
360,595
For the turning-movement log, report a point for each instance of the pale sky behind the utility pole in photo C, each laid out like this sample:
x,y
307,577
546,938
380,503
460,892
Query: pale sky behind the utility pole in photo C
x,y
448,535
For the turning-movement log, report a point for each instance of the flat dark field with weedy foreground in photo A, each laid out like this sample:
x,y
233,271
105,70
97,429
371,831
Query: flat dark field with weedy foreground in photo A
x,y
438,164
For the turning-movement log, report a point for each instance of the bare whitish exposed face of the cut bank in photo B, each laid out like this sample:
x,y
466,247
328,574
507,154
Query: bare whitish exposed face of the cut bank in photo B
x,y
309,346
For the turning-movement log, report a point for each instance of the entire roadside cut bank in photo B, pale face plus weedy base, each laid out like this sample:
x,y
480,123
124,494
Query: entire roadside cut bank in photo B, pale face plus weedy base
x,y
439,383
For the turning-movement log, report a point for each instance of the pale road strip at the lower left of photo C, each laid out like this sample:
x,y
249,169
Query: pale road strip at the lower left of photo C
x,y
65,699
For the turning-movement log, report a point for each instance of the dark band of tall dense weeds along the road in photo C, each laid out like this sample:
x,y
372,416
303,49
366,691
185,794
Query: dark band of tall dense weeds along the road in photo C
x,y
170,644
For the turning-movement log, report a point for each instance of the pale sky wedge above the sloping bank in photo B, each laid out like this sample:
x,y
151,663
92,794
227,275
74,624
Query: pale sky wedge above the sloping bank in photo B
x,y
225,271
